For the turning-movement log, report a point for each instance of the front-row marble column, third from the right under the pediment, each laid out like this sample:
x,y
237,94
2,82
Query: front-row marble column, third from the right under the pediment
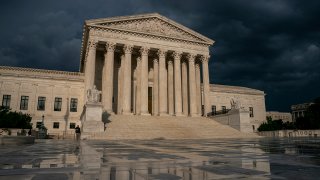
x,y
177,83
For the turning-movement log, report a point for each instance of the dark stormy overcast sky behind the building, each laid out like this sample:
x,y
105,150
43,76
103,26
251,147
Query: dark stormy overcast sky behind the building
x,y
271,45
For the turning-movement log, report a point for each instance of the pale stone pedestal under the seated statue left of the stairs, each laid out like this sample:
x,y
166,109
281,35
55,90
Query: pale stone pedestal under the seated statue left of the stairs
x,y
92,118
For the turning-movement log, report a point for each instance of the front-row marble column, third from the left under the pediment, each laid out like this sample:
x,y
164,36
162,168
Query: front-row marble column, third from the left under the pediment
x,y
126,106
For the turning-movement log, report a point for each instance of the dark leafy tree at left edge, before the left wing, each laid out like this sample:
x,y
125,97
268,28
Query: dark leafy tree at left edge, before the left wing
x,y
9,119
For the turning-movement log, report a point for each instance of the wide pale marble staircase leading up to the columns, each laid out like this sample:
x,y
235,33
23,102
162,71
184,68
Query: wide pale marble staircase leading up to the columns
x,y
165,127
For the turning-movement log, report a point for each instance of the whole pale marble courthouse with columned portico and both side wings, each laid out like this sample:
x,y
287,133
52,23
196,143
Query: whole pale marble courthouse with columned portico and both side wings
x,y
144,65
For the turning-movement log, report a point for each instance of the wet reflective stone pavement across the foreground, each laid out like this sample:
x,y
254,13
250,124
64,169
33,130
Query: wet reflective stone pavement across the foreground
x,y
261,158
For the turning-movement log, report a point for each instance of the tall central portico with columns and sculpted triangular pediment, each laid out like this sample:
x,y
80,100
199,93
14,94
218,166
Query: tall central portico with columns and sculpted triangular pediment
x,y
147,65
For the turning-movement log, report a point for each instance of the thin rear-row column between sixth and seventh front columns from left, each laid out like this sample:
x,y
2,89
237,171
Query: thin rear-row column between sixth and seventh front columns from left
x,y
185,96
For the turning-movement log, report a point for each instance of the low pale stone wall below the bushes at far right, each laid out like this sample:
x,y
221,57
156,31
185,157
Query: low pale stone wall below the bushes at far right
x,y
291,133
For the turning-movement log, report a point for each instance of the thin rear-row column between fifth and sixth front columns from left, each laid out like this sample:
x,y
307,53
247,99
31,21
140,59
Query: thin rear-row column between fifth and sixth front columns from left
x,y
170,88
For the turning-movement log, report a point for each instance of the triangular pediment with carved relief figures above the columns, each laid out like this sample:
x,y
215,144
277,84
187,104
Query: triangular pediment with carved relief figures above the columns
x,y
152,24
